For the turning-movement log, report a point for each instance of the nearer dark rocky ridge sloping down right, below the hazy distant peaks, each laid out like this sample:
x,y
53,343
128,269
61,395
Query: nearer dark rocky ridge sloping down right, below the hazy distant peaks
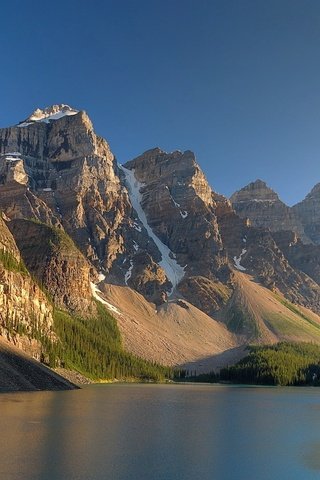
x,y
264,256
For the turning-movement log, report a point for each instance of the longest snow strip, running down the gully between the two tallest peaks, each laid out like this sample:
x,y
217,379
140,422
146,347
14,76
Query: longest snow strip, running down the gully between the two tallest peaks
x,y
173,270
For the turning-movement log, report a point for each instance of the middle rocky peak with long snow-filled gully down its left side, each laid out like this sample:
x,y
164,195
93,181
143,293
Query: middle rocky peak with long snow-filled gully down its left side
x,y
176,208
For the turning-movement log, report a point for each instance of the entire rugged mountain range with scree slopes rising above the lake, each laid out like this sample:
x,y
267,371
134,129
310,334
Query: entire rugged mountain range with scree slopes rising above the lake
x,y
190,276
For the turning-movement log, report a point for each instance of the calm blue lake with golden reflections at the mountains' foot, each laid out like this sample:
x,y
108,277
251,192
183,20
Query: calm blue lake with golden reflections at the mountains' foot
x,y
161,432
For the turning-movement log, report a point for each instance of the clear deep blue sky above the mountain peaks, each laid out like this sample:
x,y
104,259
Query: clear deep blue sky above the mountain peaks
x,y
236,81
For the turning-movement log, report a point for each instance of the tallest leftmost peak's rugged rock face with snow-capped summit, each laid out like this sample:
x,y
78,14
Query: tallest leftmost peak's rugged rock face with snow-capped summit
x,y
72,180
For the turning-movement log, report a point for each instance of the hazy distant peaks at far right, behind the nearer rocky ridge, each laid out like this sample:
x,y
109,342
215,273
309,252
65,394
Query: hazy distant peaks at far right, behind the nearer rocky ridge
x,y
293,229
